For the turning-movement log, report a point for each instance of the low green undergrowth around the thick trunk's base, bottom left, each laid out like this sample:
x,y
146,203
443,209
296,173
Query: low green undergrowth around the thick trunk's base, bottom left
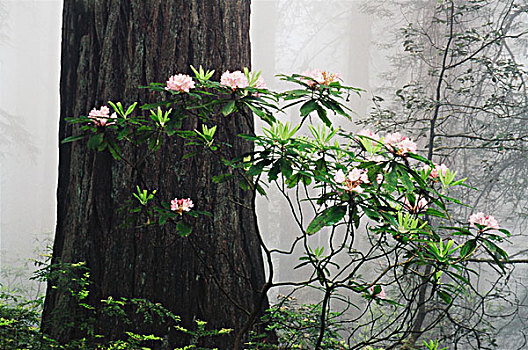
x,y
20,317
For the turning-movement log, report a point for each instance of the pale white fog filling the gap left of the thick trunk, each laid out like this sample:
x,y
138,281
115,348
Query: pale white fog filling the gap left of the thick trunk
x,y
29,104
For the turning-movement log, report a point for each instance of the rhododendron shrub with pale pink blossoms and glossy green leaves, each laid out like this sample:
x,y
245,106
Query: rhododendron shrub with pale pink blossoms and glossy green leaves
x,y
361,187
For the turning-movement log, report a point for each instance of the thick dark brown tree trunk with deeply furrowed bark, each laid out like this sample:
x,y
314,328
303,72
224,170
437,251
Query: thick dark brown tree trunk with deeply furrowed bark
x,y
109,48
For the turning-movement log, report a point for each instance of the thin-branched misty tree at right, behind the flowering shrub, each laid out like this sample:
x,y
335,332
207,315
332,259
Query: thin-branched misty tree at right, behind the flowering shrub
x,y
466,102
